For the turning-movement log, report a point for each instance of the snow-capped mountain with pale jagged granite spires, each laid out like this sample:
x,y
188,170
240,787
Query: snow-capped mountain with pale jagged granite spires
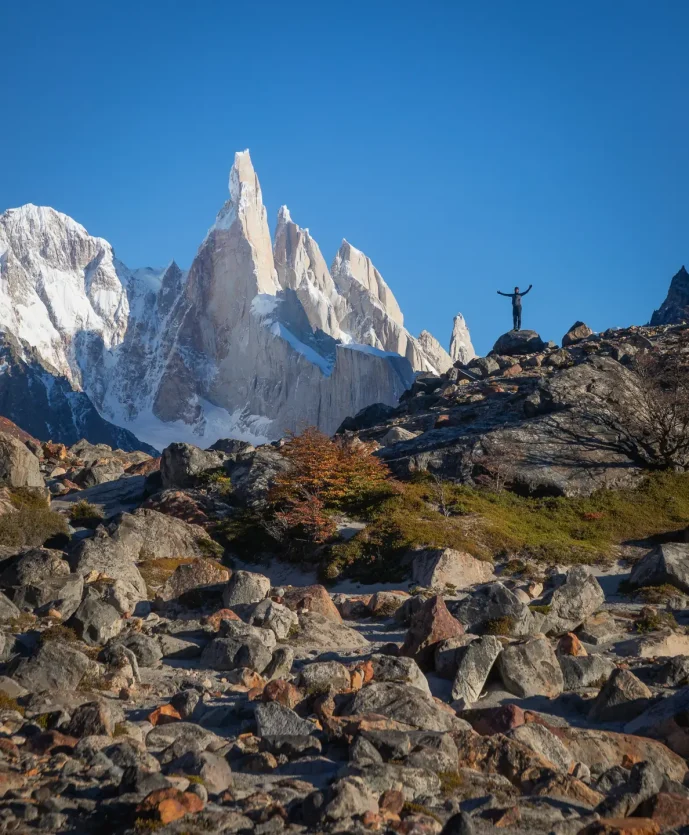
x,y
253,341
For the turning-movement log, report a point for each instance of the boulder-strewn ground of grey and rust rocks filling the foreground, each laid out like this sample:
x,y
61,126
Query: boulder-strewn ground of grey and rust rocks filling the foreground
x,y
147,687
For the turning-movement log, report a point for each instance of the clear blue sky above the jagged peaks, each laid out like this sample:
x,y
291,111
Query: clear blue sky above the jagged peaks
x,y
465,146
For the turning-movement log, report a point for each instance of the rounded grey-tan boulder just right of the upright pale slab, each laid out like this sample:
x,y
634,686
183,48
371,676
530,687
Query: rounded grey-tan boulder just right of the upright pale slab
x,y
530,668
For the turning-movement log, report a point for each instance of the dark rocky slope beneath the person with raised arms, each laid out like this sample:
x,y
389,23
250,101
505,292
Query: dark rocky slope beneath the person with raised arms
x,y
535,412
